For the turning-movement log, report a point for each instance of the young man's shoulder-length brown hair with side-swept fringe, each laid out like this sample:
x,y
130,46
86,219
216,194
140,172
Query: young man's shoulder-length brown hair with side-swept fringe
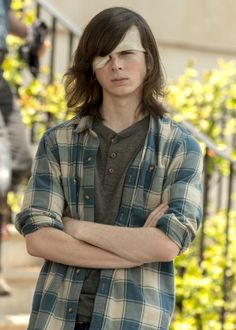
x,y
102,34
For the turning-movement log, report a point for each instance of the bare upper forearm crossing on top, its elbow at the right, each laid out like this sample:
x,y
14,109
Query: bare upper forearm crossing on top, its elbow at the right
x,y
141,245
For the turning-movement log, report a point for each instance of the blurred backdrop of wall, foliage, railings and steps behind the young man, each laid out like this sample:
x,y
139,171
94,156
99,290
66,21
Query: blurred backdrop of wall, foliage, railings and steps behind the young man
x,y
196,40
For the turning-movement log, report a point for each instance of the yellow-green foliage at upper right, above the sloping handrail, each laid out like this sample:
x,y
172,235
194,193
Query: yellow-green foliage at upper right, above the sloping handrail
x,y
208,101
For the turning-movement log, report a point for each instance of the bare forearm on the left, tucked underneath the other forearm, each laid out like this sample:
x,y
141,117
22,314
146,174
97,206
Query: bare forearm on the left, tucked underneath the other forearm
x,y
57,246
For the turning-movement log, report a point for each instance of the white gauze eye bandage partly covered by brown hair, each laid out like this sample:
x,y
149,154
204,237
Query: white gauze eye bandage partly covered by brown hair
x,y
131,41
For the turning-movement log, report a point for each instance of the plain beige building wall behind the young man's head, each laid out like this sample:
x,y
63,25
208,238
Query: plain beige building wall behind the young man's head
x,y
186,30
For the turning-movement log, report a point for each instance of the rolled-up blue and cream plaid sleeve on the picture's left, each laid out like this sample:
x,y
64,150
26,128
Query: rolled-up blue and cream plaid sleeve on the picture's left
x,y
43,203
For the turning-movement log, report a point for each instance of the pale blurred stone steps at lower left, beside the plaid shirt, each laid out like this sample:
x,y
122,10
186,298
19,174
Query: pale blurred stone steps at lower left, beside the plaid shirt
x,y
21,273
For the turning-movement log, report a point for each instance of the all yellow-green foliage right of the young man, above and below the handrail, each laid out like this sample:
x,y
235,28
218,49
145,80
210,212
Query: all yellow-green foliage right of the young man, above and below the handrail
x,y
208,101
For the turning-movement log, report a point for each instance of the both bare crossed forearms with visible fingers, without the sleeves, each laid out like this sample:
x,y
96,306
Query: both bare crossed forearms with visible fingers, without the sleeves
x,y
92,245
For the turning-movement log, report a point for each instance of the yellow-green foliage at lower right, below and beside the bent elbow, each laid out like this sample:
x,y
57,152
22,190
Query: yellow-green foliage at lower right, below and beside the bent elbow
x,y
199,299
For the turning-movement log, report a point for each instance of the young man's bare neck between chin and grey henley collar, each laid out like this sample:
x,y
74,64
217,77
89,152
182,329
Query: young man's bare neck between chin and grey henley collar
x,y
119,115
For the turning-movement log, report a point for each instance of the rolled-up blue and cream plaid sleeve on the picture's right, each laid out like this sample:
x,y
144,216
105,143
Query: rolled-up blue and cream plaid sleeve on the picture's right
x,y
183,192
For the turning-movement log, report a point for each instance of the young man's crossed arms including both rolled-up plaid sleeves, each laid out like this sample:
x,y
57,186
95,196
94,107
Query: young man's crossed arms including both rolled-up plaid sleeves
x,y
92,245
